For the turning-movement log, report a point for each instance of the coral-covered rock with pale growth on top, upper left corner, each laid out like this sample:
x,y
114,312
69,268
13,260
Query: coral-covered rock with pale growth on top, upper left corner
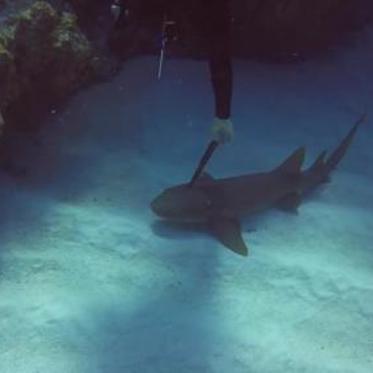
x,y
44,57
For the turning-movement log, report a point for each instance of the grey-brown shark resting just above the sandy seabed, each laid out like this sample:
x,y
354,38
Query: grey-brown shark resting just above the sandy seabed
x,y
223,203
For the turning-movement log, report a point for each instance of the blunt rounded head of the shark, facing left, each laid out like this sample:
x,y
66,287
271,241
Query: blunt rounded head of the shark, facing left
x,y
182,203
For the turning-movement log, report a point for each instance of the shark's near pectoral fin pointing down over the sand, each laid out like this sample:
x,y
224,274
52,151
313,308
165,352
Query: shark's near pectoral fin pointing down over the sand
x,y
228,231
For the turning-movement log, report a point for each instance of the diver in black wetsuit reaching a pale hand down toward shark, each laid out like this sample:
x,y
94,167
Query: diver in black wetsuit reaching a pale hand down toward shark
x,y
211,22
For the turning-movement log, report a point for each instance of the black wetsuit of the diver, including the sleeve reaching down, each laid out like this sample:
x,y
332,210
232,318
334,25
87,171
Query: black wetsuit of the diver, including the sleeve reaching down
x,y
211,22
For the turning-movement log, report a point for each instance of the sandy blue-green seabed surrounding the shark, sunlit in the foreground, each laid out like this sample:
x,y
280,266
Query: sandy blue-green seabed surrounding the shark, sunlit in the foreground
x,y
90,281
